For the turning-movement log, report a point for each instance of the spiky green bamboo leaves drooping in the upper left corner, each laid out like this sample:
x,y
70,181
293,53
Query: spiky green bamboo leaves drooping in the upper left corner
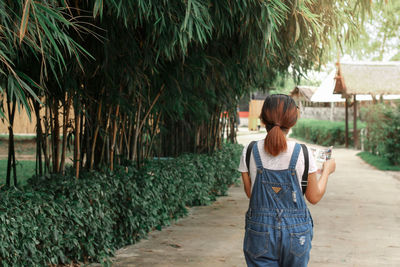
x,y
34,33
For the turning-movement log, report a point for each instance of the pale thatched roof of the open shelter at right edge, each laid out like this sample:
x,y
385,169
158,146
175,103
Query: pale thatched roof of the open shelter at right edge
x,y
374,78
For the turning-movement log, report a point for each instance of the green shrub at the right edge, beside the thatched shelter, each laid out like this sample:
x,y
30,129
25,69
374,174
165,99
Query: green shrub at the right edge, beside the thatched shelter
x,y
383,132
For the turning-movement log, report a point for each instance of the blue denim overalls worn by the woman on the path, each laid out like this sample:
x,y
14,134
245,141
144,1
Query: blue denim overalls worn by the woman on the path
x,y
279,227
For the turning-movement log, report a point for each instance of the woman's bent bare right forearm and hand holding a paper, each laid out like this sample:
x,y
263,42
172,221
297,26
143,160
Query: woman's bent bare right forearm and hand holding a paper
x,y
316,188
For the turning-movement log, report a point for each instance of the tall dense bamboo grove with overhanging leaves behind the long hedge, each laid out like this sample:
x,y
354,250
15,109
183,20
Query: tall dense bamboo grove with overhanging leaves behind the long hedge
x,y
114,82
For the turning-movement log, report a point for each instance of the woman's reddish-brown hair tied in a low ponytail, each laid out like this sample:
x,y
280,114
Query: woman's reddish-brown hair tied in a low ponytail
x,y
279,114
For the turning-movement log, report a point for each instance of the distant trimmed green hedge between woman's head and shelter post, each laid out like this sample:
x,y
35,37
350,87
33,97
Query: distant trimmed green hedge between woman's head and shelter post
x,y
325,133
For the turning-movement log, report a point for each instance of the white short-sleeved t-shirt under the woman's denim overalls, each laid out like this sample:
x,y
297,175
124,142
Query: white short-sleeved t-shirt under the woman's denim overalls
x,y
280,162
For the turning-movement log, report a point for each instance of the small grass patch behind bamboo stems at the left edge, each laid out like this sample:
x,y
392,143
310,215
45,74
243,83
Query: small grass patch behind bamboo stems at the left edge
x,y
25,170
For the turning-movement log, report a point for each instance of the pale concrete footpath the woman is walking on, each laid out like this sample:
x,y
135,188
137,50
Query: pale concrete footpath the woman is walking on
x,y
357,223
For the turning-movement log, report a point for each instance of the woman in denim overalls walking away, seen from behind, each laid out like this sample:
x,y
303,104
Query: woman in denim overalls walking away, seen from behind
x,y
279,227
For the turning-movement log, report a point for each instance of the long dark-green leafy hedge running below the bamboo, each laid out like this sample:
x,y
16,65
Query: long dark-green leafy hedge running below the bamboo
x,y
63,220
